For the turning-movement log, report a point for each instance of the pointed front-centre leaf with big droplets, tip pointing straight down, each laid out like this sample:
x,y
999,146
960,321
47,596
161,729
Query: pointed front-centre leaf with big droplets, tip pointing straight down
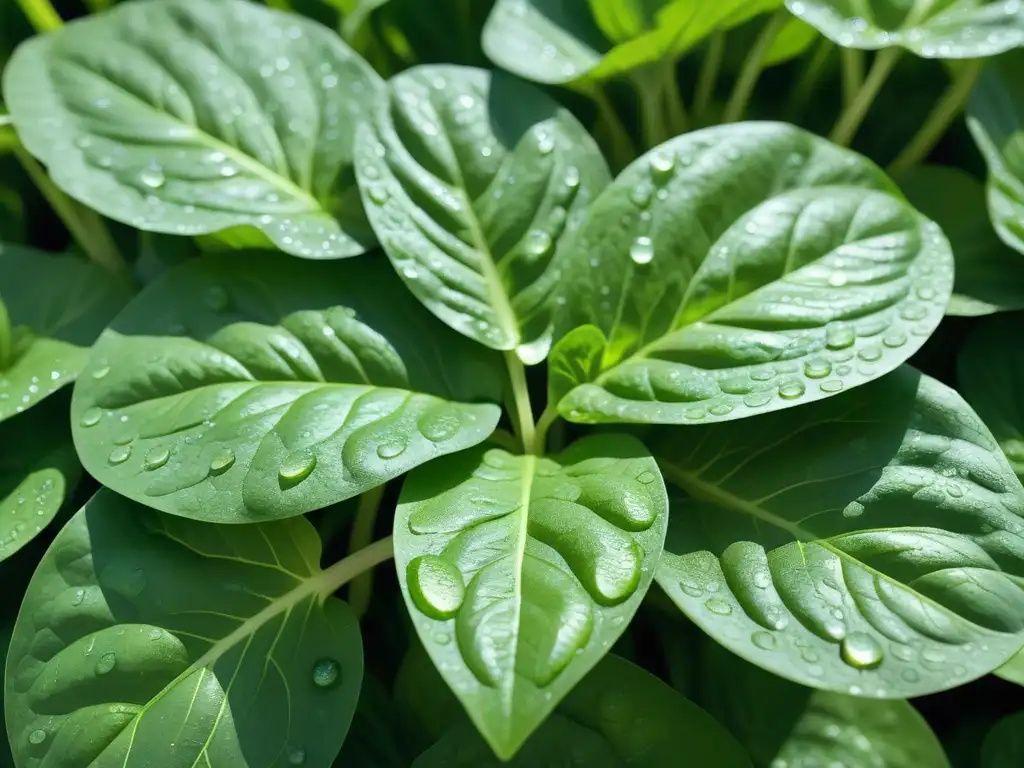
x,y
521,572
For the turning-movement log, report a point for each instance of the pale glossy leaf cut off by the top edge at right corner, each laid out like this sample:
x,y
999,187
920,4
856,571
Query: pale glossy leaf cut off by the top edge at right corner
x,y
948,29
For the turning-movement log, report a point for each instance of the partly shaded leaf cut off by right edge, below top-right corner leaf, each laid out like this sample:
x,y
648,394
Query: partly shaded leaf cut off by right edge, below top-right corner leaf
x,y
996,117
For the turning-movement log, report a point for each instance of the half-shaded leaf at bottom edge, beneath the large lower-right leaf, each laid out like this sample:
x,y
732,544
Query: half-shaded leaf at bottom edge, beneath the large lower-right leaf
x,y
782,723
